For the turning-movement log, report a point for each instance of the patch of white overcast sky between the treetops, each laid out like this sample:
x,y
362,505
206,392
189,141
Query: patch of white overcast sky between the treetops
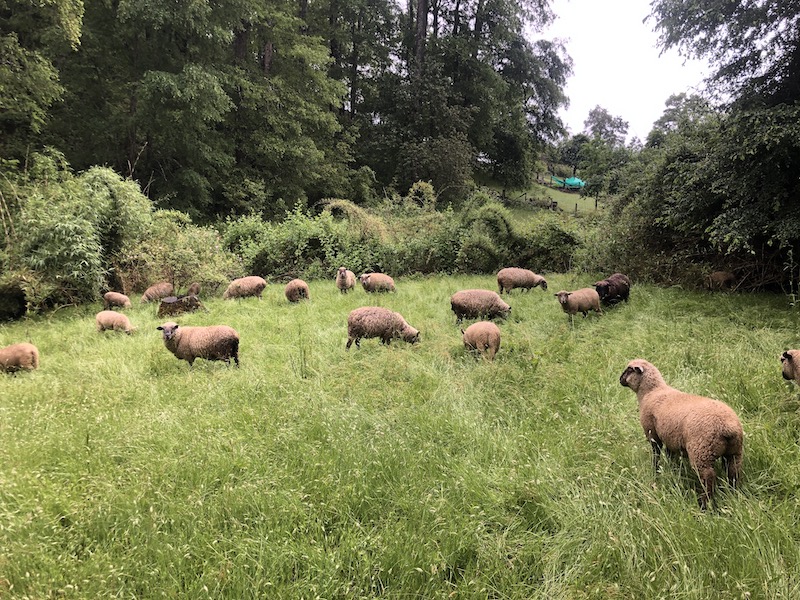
x,y
616,63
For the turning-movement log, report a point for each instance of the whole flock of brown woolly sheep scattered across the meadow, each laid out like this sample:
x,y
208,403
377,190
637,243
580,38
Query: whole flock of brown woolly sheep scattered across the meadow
x,y
700,428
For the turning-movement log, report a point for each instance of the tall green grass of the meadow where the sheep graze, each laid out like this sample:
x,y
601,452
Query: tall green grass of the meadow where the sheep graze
x,y
400,471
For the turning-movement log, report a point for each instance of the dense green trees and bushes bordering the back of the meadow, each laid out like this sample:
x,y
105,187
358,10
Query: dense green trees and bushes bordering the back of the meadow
x,y
235,114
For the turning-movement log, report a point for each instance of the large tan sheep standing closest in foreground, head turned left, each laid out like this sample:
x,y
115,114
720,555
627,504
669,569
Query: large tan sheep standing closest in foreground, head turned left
x,y
701,428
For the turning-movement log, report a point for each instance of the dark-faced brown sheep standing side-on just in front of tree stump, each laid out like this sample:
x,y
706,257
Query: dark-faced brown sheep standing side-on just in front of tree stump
x,y
214,342
